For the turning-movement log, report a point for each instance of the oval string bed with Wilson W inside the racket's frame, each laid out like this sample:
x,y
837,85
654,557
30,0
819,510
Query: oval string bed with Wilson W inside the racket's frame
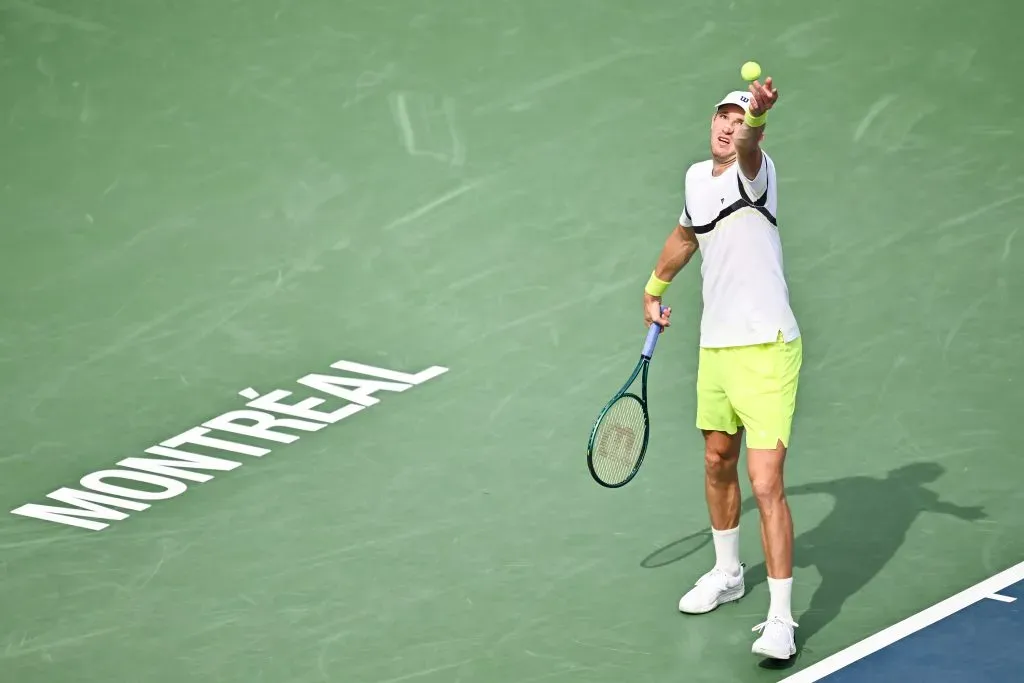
x,y
620,441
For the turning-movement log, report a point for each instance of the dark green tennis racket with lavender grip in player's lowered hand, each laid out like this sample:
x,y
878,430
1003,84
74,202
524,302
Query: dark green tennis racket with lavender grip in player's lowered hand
x,y
619,439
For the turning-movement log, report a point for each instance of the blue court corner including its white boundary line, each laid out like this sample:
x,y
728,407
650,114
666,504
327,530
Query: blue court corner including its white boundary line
x,y
976,636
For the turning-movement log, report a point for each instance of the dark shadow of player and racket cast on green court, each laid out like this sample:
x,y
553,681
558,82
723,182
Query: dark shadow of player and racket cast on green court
x,y
863,533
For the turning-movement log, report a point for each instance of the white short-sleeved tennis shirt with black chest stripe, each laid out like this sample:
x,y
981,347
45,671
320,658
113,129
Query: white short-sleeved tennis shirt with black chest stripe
x,y
746,296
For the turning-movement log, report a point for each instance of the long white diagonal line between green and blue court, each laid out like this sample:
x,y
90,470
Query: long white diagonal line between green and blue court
x,y
909,626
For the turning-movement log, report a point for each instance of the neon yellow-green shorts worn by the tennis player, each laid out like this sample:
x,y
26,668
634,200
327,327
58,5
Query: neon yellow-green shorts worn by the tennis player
x,y
750,387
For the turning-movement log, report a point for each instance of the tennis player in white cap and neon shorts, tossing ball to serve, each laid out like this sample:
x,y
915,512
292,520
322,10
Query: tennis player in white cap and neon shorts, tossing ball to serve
x,y
750,356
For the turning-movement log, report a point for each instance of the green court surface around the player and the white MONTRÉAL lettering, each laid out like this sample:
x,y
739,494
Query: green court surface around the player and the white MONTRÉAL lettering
x,y
204,197
